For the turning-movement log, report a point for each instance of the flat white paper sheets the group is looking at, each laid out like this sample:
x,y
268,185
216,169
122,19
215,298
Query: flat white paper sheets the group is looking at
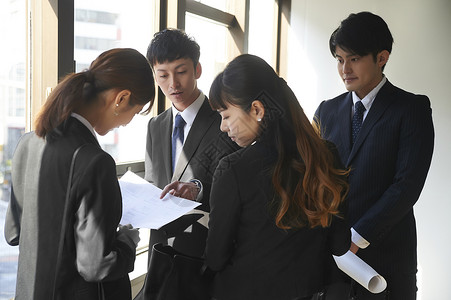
x,y
142,206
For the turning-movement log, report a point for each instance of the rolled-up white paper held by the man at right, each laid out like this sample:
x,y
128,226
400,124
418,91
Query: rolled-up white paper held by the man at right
x,y
361,272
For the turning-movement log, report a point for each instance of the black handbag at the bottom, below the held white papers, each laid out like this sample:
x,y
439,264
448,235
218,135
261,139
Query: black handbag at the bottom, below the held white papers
x,y
175,276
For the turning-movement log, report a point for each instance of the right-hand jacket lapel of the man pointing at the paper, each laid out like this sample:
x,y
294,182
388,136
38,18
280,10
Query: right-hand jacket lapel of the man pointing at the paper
x,y
201,124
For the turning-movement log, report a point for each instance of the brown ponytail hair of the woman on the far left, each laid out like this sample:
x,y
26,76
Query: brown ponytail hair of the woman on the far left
x,y
120,68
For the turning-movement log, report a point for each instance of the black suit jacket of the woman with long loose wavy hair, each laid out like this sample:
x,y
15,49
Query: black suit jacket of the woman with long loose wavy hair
x,y
253,258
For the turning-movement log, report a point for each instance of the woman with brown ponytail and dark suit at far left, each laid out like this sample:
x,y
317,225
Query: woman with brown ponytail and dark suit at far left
x,y
68,236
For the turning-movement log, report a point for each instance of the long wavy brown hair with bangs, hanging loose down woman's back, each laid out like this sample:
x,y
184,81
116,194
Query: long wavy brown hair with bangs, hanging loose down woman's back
x,y
308,182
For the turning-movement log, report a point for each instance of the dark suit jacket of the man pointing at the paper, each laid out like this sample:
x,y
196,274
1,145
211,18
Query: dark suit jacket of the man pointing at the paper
x,y
204,146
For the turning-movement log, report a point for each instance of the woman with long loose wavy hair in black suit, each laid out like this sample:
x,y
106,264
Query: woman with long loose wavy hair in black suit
x,y
276,206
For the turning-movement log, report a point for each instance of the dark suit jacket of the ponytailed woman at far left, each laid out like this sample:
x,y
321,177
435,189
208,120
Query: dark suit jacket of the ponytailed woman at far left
x,y
93,251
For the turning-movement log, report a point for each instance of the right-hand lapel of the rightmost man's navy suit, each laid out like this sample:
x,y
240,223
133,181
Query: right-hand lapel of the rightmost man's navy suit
x,y
381,102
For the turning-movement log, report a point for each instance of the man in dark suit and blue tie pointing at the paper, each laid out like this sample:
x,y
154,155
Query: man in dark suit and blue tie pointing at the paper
x,y
181,159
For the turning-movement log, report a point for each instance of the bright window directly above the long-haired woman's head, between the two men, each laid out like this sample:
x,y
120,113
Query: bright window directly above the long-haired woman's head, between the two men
x,y
259,36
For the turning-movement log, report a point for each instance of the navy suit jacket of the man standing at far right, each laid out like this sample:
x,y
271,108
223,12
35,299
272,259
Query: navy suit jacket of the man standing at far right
x,y
389,163
